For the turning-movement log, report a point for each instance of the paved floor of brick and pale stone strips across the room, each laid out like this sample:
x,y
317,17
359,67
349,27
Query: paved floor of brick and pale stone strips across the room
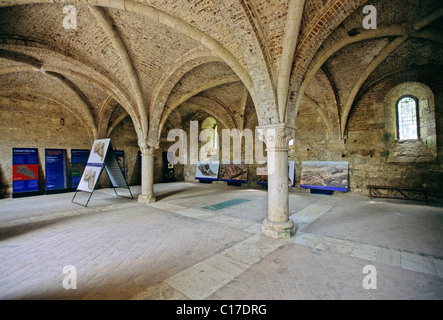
x,y
201,241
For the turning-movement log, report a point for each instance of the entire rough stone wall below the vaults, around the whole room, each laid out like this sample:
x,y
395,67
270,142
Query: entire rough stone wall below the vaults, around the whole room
x,y
374,154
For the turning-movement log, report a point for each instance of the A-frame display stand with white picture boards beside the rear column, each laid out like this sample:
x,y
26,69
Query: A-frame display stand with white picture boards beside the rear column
x,y
102,156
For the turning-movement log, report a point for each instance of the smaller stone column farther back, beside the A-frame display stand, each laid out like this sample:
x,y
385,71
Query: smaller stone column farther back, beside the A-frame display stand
x,y
147,183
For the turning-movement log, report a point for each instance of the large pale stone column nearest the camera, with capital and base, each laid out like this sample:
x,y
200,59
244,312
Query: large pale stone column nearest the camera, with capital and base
x,y
278,224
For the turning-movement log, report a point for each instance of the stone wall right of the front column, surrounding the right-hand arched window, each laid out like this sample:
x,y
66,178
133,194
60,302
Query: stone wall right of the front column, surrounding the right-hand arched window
x,y
371,147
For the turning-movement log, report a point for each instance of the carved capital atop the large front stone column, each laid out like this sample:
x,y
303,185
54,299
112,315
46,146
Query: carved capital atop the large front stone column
x,y
276,136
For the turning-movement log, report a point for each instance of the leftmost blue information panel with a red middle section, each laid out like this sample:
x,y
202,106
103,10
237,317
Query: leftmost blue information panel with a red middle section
x,y
24,170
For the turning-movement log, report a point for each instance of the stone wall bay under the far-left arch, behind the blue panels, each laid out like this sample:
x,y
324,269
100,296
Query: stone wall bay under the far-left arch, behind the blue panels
x,y
28,122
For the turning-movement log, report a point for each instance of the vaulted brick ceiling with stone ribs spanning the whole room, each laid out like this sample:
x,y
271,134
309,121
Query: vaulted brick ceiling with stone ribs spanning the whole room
x,y
145,59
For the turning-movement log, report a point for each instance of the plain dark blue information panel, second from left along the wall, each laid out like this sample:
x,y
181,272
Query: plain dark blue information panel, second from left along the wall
x,y
55,168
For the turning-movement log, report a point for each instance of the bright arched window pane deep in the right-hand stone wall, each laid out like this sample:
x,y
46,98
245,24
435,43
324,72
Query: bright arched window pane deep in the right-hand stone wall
x,y
407,118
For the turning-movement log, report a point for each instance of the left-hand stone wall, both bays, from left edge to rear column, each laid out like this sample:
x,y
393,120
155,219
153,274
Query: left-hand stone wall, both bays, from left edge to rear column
x,y
33,123
